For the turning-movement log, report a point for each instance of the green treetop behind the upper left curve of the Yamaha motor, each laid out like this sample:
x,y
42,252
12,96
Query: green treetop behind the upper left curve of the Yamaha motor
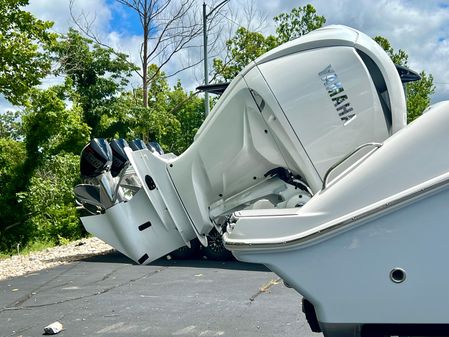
x,y
246,46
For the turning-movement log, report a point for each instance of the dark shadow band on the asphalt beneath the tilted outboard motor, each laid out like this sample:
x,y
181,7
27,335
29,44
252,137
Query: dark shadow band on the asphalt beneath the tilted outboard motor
x,y
117,257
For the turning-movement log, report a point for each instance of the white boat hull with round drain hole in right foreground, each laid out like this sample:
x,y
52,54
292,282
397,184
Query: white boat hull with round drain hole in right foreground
x,y
372,247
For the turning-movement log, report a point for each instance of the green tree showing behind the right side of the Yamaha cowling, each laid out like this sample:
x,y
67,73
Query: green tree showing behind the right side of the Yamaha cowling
x,y
418,93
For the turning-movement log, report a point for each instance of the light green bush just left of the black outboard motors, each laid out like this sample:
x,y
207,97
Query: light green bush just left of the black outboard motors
x,y
49,199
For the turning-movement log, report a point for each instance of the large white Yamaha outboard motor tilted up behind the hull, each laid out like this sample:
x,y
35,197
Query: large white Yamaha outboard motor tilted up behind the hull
x,y
281,124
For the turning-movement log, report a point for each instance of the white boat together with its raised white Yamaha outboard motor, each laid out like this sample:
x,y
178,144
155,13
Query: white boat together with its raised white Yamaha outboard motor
x,y
307,160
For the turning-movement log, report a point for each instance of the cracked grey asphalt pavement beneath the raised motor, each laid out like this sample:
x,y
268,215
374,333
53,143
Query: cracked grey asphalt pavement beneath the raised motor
x,y
111,296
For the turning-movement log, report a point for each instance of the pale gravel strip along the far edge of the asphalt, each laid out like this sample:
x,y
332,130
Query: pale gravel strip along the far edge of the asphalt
x,y
19,265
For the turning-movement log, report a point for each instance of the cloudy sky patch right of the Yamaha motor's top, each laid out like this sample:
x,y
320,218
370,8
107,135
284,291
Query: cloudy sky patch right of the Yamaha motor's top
x,y
421,28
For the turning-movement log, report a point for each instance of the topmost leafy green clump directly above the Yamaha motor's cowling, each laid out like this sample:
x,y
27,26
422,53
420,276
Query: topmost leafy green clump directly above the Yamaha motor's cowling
x,y
300,21
